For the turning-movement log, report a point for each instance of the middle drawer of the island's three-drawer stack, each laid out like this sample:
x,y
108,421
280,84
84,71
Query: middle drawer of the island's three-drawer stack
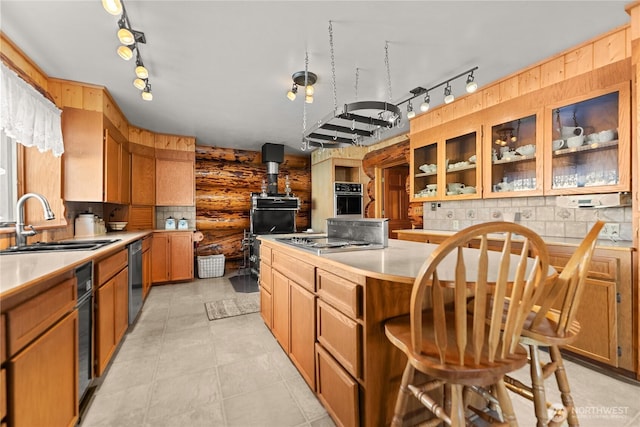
x,y
341,336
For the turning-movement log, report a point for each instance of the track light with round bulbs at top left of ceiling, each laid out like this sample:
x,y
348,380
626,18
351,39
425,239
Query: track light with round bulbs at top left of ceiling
x,y
130,39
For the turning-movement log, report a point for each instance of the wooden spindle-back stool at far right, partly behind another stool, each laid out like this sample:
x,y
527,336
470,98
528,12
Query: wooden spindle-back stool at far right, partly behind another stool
x,y
553,328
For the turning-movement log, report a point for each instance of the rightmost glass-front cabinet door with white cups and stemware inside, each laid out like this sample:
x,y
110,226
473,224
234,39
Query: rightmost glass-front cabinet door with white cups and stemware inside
x,y
588,139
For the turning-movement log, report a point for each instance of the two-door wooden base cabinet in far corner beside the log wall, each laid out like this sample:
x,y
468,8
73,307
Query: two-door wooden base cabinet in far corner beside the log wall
x,y
172,256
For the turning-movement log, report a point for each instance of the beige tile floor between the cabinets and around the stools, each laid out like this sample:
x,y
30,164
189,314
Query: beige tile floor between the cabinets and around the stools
x,y
177,368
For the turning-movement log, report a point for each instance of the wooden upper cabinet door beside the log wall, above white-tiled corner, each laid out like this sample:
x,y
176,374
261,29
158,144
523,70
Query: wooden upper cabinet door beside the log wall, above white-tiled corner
x,y
175,182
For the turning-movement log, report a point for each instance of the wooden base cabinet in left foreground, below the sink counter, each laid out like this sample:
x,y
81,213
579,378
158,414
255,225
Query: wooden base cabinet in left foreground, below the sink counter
x,y
41,344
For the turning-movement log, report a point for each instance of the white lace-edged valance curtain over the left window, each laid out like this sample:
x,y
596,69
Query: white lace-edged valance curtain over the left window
x,y
26,116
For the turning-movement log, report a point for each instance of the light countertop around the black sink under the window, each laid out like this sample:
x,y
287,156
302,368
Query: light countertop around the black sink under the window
x,y
19,271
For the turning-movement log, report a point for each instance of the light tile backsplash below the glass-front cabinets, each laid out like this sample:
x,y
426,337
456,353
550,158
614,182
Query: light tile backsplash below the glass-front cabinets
x,y
538,213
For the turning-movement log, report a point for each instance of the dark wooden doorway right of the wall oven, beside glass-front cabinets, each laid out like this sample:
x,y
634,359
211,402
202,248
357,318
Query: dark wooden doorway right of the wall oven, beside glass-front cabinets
x,y
395,199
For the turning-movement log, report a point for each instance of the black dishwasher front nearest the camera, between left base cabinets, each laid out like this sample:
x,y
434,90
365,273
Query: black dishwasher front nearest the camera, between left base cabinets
x,y
85,326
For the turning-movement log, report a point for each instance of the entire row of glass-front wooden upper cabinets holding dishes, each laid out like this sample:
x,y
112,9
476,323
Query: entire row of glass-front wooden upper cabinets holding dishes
x,y
580,145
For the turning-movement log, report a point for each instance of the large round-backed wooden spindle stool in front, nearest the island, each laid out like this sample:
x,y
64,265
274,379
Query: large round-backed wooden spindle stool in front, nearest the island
x,y
456,347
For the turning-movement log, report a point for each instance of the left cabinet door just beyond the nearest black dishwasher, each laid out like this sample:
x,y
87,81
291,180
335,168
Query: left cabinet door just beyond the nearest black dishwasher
x,y
105,332
